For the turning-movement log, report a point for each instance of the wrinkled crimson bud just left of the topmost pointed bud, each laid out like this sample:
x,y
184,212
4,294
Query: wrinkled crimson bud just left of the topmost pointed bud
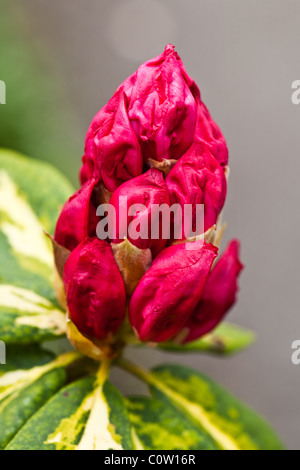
x,y
112,151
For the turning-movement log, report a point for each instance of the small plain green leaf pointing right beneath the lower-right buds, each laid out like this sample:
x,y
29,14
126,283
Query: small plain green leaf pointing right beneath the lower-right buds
x,y
226,339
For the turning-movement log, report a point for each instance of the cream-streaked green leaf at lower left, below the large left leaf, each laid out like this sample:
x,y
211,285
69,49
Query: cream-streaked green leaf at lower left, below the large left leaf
x,y
25,389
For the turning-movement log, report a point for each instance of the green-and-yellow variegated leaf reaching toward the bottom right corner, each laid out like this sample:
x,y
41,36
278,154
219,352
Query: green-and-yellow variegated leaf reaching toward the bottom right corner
x,y
231,424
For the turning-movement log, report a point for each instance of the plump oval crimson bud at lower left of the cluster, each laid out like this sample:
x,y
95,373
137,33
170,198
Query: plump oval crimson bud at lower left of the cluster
x,y
95,289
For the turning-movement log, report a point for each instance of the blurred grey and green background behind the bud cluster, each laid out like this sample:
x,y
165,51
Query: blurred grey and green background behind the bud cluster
x,y
244,55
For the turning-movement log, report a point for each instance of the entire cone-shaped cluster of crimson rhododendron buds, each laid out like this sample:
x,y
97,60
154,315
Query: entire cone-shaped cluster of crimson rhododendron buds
x,y
153,143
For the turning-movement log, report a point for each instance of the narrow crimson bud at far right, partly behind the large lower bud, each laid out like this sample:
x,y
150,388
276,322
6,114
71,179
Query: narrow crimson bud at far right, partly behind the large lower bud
x,y
218,295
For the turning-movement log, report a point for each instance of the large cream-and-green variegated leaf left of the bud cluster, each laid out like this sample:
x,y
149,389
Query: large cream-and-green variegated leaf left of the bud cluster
x,y
31,195
